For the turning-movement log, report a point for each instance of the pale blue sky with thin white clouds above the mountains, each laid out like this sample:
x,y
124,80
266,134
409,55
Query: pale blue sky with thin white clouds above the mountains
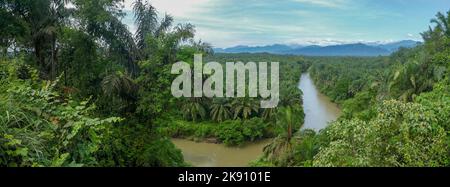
x,y
227,23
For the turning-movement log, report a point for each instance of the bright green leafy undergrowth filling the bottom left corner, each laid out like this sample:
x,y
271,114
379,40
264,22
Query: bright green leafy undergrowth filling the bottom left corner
x,y
39,127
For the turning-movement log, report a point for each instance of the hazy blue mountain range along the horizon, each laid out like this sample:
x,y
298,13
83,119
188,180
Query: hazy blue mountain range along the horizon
x,y
356,49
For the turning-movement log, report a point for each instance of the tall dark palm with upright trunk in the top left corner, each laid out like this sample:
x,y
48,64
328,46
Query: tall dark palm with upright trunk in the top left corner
x,y
42,19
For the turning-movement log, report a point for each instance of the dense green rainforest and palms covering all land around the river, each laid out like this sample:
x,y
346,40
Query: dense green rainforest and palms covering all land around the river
x,y
77,88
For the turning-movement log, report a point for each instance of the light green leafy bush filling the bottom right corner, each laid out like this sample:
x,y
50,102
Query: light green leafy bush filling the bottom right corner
x,y
401,135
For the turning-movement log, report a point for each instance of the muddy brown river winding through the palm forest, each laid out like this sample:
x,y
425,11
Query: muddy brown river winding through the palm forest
x,y
318,109
